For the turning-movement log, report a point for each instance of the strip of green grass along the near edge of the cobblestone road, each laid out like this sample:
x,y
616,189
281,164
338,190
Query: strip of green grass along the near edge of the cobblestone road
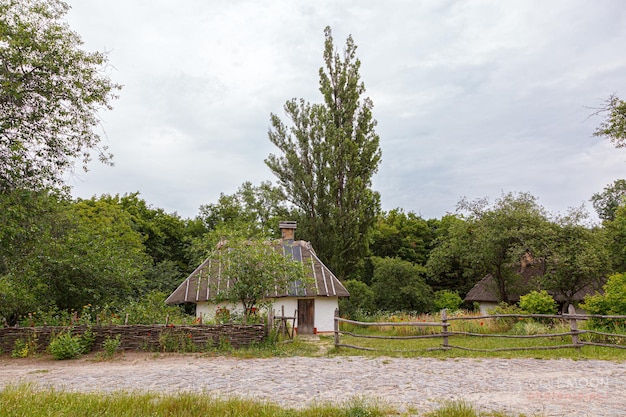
x,y
24,400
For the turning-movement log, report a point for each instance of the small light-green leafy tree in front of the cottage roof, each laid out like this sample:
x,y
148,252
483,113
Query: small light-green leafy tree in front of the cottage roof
x,y
255,269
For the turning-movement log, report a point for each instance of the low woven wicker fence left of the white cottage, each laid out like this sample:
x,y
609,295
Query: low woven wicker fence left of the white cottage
x,y
144,337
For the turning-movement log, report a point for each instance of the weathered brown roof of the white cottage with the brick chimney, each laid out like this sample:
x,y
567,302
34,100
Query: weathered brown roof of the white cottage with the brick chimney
x,y
207,281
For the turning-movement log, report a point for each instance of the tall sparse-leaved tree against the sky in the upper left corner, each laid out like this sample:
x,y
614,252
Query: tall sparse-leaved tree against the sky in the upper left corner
x,y
50,93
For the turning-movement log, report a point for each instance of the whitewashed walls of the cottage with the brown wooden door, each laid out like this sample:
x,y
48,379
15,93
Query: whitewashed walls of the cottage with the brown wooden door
x,y
324,310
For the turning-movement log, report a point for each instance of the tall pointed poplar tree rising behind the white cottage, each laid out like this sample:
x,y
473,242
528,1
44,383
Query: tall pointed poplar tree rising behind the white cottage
x,y
329,154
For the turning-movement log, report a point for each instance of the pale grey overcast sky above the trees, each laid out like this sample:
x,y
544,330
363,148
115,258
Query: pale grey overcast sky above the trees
x,y
472,98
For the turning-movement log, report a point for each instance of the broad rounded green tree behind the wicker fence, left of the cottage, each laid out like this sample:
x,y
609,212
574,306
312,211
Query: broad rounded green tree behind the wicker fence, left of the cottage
x,y
93,256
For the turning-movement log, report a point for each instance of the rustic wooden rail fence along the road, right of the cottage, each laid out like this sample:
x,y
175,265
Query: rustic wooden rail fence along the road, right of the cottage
x,y
445,334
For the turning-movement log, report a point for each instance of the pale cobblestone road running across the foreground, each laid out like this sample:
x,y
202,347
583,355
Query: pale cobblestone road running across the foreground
x,y
544,387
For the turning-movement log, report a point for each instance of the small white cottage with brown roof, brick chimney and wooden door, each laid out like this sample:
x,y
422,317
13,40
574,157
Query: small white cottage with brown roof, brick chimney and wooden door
x,y
315,304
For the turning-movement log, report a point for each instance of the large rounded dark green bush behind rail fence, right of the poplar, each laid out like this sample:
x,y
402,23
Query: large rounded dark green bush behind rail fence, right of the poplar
x,y
400,285
